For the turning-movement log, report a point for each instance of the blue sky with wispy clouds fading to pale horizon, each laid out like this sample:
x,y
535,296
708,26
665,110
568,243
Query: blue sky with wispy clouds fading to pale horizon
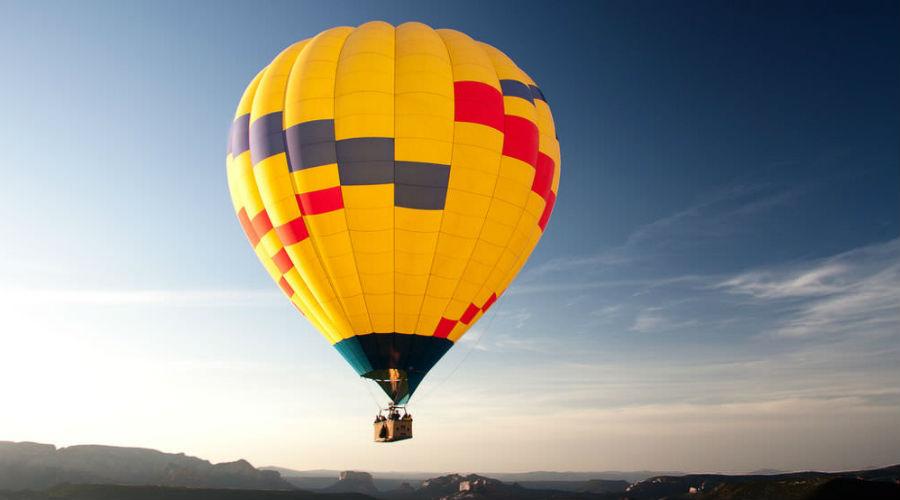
x,y
721,272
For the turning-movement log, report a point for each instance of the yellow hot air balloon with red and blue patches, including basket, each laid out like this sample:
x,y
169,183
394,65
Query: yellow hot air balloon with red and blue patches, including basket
x,y
393,181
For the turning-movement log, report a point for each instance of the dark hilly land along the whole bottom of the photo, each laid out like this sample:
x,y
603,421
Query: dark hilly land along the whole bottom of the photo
x,y
30,471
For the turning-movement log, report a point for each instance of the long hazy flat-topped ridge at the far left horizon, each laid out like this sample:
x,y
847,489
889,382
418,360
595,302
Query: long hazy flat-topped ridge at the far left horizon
x,y
40,466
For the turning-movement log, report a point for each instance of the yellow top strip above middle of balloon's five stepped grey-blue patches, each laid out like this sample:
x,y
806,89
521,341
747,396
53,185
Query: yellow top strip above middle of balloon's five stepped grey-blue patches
x,y
310,88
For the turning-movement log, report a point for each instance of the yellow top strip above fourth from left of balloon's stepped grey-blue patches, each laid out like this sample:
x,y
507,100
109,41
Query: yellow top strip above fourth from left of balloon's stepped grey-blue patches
x,y
364,86
